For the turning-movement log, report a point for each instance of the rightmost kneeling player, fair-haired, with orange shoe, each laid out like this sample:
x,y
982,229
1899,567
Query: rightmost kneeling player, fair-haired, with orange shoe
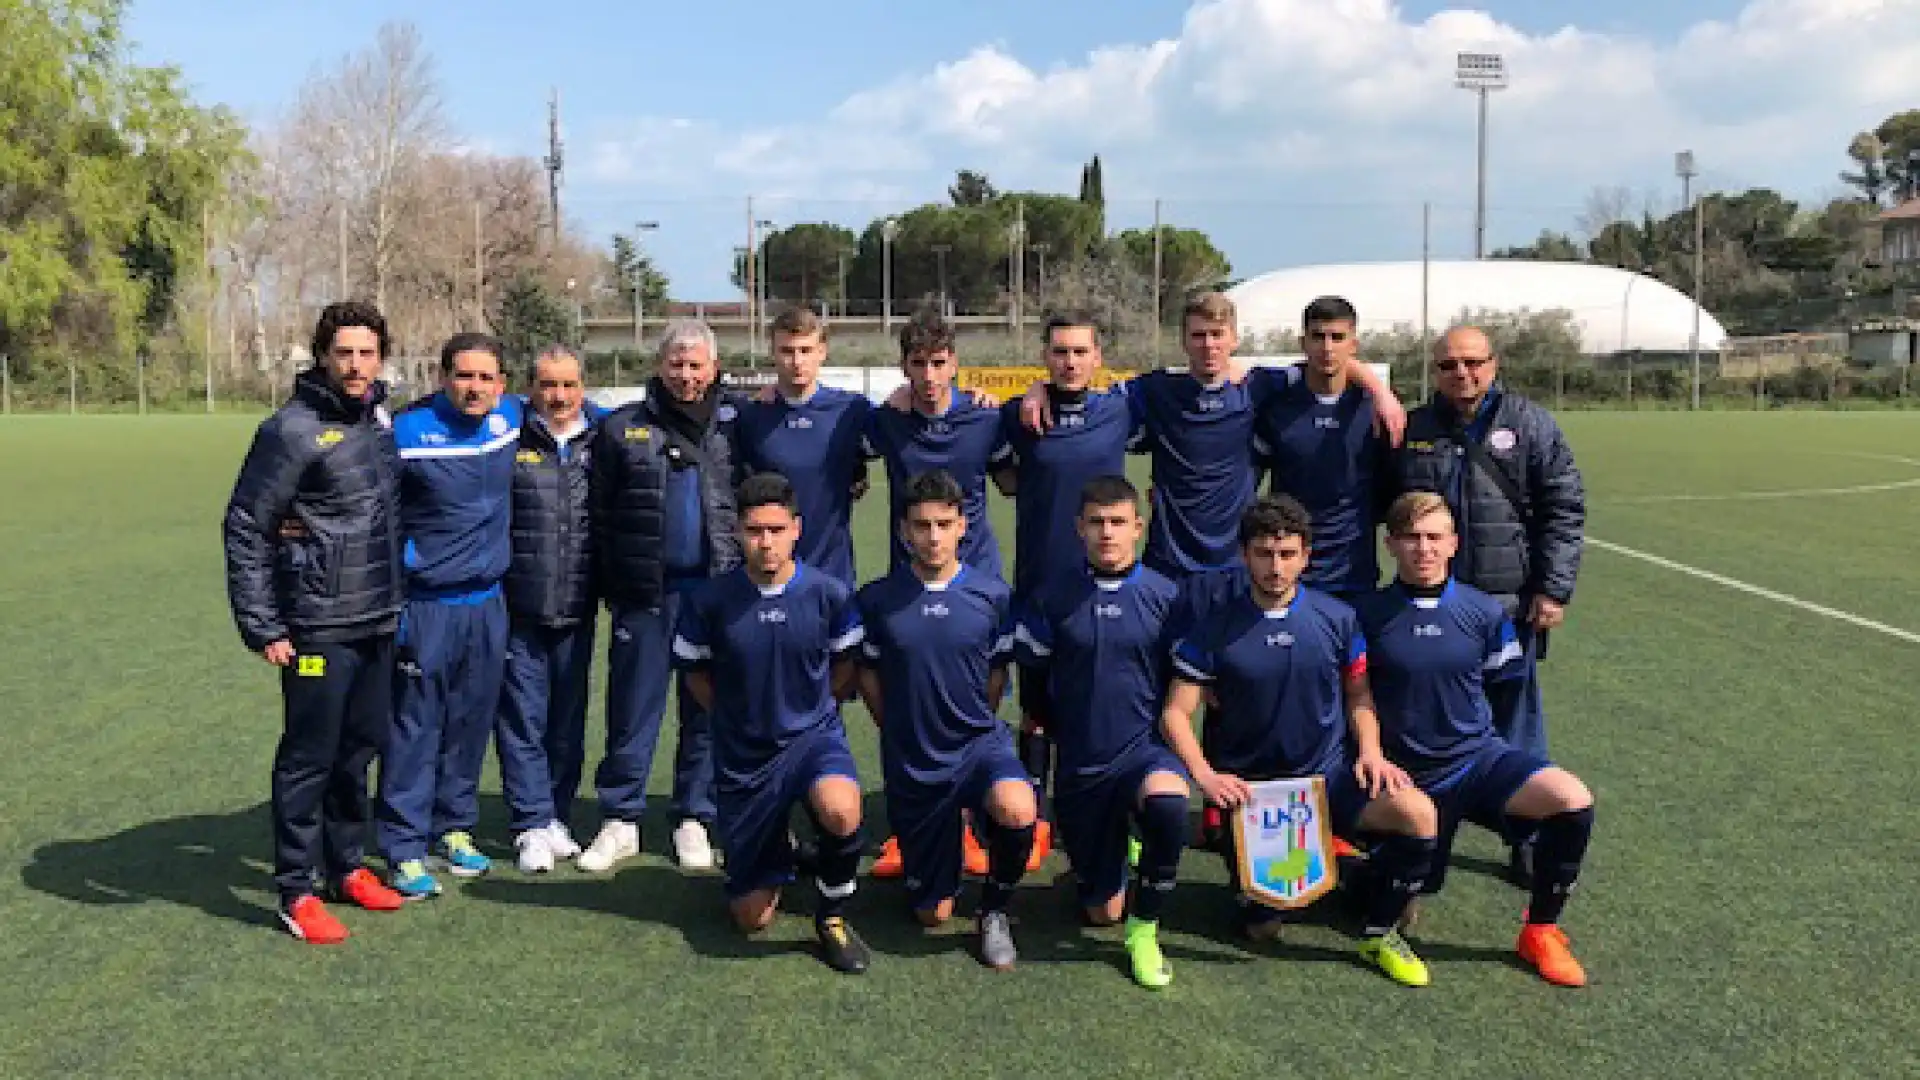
x,y
1435,647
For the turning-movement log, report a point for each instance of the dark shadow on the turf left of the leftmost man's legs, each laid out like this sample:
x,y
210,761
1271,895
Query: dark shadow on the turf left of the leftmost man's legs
x,y
203,862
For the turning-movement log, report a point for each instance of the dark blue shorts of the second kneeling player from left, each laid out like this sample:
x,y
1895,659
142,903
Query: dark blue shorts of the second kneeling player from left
x,y
926,818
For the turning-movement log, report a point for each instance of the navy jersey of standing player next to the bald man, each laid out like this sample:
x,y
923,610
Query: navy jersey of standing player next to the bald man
x,y
1324,453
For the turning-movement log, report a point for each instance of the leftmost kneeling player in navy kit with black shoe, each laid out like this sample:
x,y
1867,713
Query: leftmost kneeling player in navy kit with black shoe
x,y
769,650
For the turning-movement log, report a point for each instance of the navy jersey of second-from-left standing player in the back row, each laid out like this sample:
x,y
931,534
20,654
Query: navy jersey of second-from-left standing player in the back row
x,y
967,443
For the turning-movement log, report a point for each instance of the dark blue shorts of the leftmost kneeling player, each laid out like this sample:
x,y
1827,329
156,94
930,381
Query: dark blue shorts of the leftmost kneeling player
x,y
754,822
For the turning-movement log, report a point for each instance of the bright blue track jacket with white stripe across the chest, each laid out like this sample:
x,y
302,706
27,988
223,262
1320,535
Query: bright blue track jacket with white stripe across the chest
x,y
456,495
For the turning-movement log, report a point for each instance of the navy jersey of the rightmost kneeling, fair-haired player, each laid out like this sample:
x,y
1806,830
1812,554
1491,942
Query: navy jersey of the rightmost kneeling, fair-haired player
x,y
1429,672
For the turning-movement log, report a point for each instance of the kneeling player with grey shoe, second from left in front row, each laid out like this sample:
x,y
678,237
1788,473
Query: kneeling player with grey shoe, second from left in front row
x,y
938,641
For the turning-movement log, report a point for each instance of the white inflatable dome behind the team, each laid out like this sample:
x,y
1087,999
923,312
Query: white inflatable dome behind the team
x,y
1616,310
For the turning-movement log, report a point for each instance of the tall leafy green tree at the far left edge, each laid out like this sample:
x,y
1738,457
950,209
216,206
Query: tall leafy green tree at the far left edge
x,y
107,172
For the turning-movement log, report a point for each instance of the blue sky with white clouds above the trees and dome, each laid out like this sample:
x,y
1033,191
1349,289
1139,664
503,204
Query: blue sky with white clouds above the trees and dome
x,y
1295,132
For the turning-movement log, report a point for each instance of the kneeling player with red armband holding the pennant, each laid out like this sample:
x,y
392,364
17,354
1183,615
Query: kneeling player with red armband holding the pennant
x,y
1289,675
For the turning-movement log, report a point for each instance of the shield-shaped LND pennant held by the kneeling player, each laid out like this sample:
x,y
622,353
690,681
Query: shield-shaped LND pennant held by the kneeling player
x,y
1285,845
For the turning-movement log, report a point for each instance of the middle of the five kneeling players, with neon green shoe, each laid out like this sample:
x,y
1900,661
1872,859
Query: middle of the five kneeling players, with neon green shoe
x,y
1099,637
